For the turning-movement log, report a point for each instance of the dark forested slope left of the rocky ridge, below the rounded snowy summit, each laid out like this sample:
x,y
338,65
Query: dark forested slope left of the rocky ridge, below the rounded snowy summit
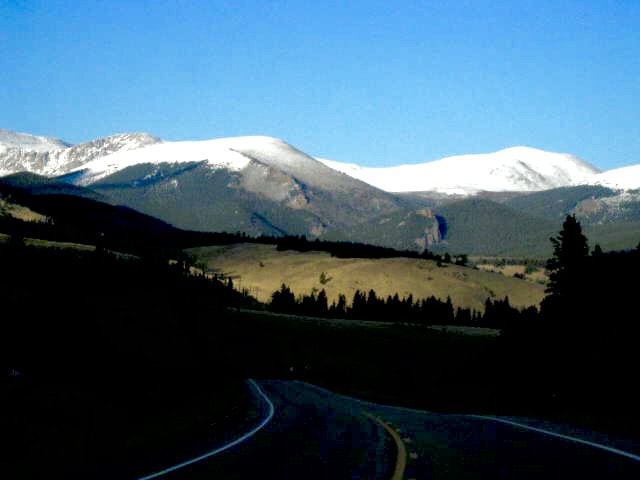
x,y
194,196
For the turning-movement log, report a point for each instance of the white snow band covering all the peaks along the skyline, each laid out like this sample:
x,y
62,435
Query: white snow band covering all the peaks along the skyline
x,y
518,168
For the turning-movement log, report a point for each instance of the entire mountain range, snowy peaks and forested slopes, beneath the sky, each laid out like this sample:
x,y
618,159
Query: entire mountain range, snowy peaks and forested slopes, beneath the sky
x,y
505,203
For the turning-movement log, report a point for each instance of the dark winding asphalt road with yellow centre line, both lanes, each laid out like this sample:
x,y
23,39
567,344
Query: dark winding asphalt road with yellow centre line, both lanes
x,y
316,434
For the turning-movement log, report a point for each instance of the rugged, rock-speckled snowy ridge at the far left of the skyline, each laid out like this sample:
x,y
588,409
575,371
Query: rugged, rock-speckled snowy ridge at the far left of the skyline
x,y
51,157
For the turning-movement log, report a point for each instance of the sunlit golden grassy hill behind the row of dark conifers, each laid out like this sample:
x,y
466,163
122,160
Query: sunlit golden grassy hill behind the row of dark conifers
x,y
261,269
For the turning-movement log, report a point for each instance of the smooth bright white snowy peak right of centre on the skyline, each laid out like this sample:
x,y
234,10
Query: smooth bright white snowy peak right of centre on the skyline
x,y
515,169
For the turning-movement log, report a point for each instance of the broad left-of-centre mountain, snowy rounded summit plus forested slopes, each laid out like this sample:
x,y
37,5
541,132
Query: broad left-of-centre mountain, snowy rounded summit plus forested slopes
x,y
253,184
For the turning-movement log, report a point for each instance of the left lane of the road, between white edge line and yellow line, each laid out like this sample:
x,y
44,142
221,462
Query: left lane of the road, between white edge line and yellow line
x,y
311,436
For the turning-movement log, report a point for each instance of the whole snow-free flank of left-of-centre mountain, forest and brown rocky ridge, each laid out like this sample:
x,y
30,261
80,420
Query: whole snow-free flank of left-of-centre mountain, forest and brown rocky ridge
x,y
265,199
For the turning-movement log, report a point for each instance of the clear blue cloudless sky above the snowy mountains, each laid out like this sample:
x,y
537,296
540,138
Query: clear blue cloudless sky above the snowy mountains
x,y
376,83
